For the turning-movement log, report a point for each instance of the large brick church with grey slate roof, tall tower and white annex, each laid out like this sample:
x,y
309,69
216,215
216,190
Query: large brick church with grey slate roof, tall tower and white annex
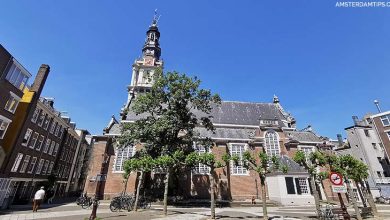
x,y
240,126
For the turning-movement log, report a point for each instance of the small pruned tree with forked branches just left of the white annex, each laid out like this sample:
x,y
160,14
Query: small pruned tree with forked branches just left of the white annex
x,y
263,165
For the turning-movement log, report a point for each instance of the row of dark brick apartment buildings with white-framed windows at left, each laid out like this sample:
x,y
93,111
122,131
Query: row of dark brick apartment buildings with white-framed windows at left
x,y
42,145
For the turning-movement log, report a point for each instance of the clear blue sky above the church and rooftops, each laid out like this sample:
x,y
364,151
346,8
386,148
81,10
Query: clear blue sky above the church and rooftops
x,y
325,63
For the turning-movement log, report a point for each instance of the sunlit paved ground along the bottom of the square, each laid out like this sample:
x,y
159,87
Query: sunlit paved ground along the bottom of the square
x,y
71,211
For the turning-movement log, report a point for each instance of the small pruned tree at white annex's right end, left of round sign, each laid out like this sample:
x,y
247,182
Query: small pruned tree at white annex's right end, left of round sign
x,y
311,164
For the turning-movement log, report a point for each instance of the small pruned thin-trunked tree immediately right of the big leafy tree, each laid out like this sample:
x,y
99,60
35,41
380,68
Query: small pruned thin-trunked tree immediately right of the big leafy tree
x,y
208,159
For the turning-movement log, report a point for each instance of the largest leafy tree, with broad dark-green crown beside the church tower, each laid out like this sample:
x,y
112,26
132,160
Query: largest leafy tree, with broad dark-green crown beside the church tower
x,y
167,120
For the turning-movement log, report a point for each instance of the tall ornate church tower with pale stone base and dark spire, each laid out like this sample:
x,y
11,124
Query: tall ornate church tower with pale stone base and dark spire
x,y
144,68
